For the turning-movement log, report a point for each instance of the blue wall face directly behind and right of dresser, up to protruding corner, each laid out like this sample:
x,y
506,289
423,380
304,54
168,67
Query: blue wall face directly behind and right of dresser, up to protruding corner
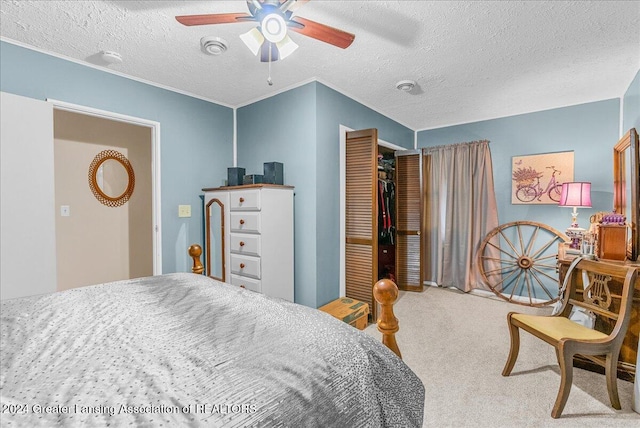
x,y
282,128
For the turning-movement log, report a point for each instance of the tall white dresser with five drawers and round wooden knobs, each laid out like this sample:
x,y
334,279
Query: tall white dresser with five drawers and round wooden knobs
x,y
258,237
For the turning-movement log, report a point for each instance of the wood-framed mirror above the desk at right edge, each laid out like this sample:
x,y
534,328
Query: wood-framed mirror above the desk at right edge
x,y
626,185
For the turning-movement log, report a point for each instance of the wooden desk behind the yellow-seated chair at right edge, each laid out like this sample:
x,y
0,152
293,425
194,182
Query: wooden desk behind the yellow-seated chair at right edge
x,y
629,350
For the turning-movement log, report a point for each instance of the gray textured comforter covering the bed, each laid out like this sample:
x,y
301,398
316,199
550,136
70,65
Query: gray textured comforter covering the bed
x,y
183,349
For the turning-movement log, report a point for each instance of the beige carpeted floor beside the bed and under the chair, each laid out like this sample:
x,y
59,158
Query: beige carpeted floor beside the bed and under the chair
x,y
458,343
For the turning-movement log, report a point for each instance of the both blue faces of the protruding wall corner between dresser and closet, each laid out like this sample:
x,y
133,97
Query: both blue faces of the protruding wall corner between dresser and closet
x,y
300,128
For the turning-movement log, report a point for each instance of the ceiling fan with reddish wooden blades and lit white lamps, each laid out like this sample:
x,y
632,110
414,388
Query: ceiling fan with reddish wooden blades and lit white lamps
x,y
274,17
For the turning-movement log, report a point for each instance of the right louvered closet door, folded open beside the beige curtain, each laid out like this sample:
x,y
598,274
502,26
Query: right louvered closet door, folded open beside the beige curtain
x,y
409,208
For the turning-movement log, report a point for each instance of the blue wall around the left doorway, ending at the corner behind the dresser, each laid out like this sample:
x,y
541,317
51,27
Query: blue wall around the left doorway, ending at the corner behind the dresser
x,y
196,136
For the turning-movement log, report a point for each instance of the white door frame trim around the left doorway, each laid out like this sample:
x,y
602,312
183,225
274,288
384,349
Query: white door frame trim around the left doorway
x,y
155,165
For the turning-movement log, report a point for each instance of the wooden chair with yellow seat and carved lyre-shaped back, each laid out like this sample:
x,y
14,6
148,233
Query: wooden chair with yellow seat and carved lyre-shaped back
x,y
612,301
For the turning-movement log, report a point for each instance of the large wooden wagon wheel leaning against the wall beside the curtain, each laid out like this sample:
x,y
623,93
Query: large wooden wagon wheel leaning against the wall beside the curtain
x,y
517,261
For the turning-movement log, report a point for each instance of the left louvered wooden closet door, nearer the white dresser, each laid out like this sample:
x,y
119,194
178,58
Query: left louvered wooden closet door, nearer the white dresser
x,y
361,246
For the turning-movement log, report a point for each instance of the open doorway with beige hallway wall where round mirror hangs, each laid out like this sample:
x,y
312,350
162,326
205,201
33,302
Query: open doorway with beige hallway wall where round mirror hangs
x,y
98,242
